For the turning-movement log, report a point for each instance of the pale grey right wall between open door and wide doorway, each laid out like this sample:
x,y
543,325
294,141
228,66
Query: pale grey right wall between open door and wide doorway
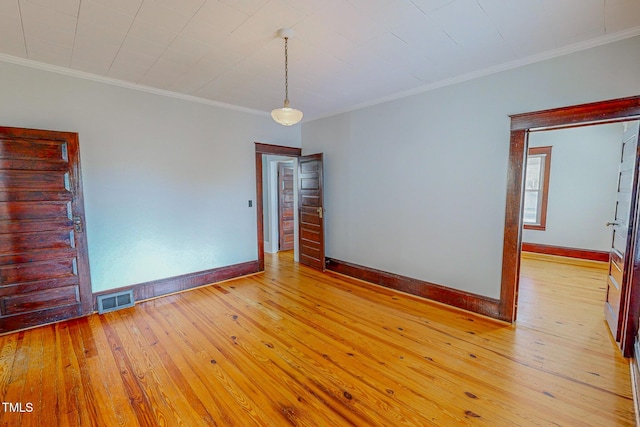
x,y
417,186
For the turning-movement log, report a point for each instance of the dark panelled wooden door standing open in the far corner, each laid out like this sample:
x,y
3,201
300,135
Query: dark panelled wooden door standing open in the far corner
x,y
311,211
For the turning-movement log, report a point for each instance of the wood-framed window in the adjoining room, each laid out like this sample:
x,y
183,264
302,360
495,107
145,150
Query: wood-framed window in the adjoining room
x,y
536,189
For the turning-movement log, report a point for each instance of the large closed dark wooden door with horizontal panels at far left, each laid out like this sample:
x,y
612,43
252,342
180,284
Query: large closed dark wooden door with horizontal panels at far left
x,y
44,268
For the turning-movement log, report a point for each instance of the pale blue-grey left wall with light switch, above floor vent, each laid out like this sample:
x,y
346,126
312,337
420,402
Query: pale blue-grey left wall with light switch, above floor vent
x,y
166,181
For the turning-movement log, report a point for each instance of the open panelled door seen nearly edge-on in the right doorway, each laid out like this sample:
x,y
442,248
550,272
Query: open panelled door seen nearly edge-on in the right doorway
x,y
622,242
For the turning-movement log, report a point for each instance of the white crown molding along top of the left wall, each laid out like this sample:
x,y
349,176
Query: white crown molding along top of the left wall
x,y
121,83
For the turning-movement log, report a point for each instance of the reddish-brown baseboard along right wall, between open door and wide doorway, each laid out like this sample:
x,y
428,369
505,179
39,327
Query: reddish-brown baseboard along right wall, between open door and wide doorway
x,y
442,294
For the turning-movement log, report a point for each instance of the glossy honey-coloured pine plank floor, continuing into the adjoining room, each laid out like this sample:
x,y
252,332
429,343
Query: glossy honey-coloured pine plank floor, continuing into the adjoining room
x,y
296,347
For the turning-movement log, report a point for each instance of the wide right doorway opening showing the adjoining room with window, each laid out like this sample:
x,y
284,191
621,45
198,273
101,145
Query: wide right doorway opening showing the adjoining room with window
x,y
570,202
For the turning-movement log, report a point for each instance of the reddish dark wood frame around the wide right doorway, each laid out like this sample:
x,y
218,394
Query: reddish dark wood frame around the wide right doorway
x,y
609,111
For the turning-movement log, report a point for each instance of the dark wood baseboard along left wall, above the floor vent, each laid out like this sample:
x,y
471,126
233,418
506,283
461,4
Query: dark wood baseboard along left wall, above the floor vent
x,y
170,285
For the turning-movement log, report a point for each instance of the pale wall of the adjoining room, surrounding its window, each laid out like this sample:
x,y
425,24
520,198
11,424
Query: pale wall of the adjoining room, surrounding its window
x,y
582,186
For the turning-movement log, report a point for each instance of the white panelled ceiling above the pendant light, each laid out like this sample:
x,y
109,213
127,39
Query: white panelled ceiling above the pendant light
x,y
345,53
